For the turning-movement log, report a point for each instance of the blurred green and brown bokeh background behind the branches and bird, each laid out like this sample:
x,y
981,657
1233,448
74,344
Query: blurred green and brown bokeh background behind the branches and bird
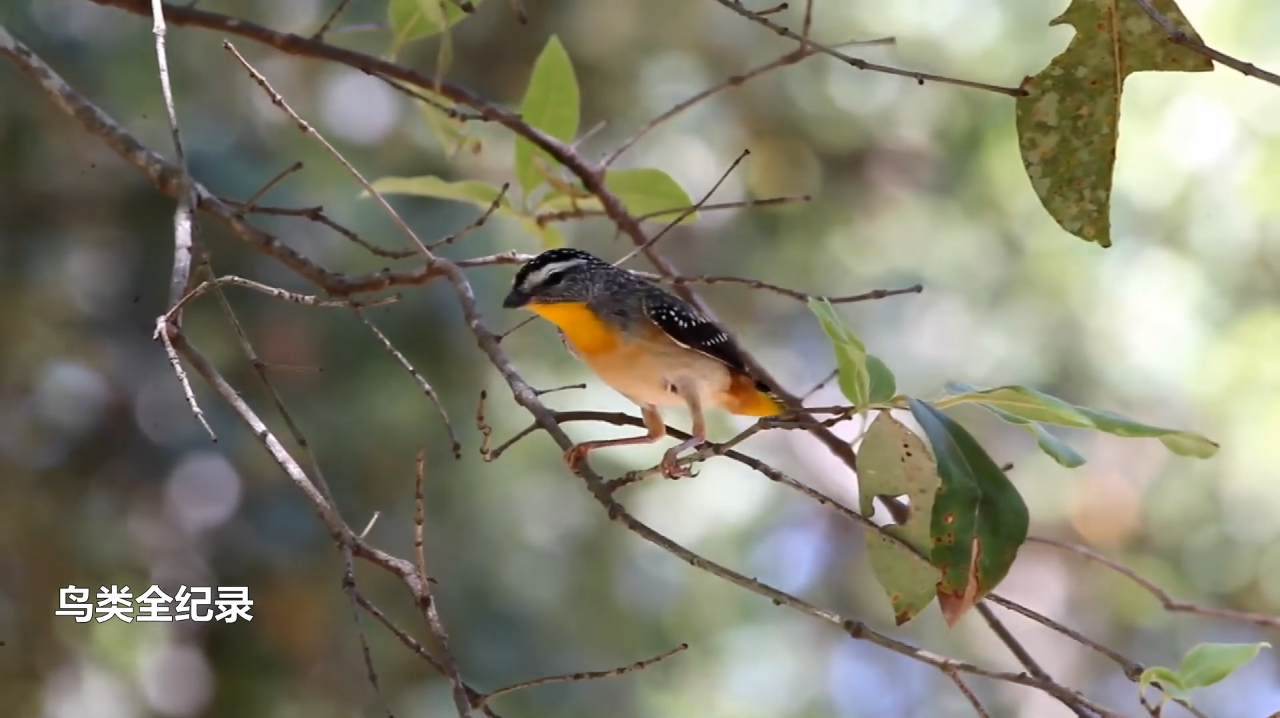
x,y
106,478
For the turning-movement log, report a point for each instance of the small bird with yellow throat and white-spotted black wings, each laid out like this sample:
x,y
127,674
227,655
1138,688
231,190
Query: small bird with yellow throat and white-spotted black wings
x,y
647,344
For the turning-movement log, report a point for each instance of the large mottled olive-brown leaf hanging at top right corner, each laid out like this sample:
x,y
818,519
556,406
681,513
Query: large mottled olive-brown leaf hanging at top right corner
x,y
1069,121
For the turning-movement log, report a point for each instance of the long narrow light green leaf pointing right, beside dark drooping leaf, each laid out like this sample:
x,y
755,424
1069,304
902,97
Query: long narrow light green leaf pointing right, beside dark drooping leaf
x,y
1036,406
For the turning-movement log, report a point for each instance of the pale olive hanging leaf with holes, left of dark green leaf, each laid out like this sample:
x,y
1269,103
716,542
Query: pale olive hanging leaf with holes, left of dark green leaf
x,y
893,461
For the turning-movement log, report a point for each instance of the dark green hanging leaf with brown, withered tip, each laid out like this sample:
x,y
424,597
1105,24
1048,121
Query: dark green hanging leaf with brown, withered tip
x,y
980,520
